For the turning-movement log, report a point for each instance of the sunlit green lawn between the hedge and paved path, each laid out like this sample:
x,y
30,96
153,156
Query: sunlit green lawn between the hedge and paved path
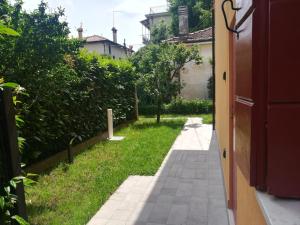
x,y
71,194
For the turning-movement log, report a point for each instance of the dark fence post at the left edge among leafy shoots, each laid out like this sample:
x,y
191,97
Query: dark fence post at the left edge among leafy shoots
x,y
10,164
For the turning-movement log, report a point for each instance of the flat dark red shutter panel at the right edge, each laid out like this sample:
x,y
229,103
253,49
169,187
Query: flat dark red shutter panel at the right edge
x,y
283,178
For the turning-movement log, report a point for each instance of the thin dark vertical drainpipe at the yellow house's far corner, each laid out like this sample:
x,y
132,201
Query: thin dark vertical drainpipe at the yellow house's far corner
x,y
214,64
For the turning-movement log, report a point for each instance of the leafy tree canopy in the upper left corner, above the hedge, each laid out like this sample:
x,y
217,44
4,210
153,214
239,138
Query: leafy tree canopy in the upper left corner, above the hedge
x,y
43,41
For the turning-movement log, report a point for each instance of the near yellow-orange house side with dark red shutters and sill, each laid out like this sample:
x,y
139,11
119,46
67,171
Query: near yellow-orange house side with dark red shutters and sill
x,y
257,108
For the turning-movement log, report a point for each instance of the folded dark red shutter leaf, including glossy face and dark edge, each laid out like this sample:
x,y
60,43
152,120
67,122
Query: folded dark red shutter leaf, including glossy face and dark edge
x,y
250,95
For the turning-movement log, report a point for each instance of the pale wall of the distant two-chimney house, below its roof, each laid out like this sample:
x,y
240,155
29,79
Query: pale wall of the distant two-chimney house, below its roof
x,y
103,49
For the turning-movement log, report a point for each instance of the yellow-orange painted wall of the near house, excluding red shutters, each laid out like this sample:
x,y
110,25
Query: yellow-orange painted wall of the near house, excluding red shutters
x,y
248,211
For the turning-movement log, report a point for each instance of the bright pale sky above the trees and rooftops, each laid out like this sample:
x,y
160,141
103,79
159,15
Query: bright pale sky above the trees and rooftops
x,y
96,16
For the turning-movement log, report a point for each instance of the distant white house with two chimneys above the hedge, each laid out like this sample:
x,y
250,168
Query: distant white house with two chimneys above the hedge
x,y
104,46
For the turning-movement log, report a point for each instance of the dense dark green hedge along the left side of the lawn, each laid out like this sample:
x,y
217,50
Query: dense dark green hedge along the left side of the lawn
x,y
71,101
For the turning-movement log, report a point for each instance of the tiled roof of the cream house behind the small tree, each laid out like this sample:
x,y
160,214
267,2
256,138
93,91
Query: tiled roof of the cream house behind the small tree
x,y
198,36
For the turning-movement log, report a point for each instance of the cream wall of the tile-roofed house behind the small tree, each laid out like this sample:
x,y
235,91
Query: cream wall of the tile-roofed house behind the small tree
x,y
195,77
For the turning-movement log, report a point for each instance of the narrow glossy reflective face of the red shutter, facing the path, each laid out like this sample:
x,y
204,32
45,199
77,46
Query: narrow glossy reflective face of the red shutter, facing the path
x,y
244,101
